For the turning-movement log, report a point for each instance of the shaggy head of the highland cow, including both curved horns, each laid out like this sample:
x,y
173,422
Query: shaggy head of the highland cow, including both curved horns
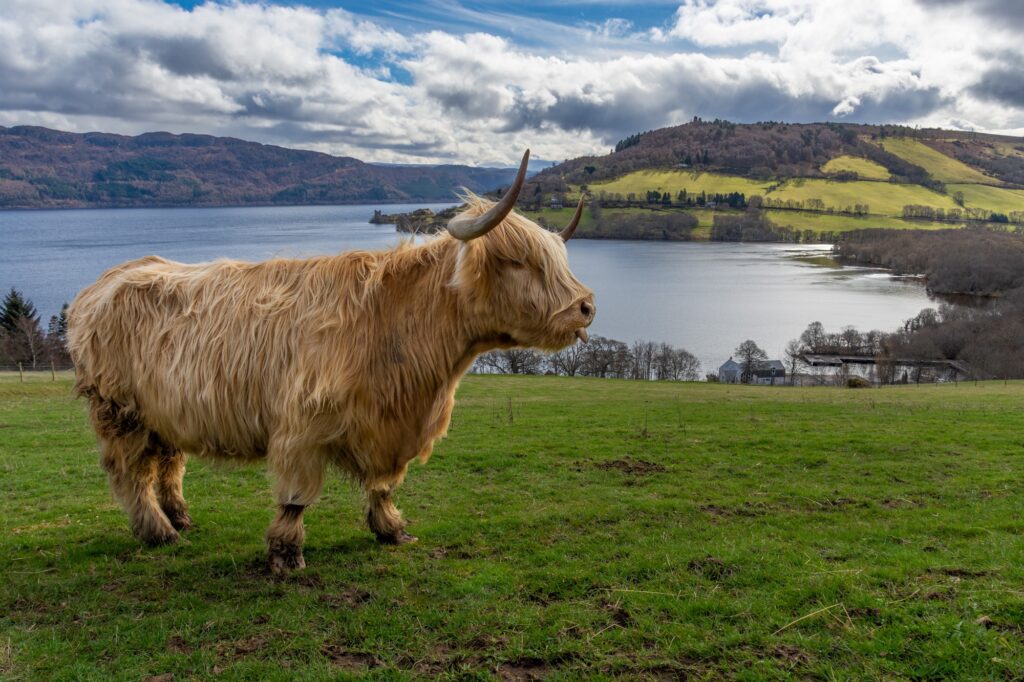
x,y
516,277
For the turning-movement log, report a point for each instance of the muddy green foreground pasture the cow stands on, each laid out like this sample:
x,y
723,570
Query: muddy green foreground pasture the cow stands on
x,y
569,528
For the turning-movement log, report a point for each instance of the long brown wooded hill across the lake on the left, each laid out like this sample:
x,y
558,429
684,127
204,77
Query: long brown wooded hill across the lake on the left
x,y
44,168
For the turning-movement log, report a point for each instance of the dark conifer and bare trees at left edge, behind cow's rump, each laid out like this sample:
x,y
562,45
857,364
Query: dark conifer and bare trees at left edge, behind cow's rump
x,y
23,339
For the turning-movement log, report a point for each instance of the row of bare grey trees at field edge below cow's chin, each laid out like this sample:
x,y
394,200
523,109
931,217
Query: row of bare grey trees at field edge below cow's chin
x,y
602,357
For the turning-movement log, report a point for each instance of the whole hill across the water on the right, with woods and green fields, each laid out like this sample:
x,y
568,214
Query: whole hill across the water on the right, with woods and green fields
x,y
815,181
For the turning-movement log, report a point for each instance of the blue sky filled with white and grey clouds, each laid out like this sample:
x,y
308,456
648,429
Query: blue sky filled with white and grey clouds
x,y
441,81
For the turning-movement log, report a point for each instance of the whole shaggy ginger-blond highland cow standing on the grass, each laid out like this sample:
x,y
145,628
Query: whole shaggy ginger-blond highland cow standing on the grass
x,y
351,361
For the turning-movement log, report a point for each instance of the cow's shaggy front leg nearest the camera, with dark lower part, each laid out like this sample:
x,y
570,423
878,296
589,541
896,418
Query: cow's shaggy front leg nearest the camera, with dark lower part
x,y
300,478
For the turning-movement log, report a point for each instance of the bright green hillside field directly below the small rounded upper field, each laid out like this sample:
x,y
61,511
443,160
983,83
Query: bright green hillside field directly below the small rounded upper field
x,y
882,198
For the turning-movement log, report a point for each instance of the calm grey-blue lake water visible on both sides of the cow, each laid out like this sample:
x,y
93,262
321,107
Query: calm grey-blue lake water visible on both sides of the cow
x,y
704,297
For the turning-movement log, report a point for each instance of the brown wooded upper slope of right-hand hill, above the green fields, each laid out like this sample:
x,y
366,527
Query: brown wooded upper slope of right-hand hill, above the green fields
x,y
780,151
